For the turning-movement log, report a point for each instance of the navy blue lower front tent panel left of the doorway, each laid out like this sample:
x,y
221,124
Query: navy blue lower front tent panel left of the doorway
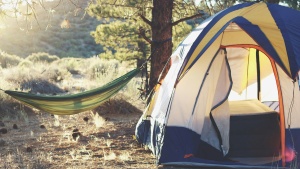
x,y
181,141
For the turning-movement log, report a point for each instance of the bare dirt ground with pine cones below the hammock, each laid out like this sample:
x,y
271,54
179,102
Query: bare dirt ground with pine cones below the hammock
x,y
41,140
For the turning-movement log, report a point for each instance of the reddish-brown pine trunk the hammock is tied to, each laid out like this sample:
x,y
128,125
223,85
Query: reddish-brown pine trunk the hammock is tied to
x,y
161,48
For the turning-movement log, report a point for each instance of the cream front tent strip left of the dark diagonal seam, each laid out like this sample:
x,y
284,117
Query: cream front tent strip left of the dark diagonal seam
x,y
182,107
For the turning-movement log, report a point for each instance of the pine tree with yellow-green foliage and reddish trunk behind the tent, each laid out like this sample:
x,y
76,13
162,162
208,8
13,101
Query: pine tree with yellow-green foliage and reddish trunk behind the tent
x,y
137,25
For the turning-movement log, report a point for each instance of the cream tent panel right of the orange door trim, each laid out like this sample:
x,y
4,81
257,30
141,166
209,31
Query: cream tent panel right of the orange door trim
x,y
291,98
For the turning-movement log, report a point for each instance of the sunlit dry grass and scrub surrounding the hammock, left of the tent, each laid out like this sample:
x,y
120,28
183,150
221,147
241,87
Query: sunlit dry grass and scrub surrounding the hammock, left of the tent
x,y
102,138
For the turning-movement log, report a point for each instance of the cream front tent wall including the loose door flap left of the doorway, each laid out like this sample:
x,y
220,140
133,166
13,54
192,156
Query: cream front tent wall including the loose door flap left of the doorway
x,y
193,110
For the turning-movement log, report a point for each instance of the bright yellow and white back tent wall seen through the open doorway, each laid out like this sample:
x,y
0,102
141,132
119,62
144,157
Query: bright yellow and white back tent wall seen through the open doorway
x,y
243,62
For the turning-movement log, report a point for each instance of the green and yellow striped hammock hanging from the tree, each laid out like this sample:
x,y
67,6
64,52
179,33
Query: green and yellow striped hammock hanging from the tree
x,y
75,103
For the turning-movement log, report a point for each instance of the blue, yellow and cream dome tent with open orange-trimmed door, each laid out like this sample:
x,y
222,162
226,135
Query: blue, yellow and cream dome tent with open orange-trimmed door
x,y
231,96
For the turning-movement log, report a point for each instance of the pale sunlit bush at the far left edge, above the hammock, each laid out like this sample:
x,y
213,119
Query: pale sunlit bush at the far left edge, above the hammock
x,y
7,60
